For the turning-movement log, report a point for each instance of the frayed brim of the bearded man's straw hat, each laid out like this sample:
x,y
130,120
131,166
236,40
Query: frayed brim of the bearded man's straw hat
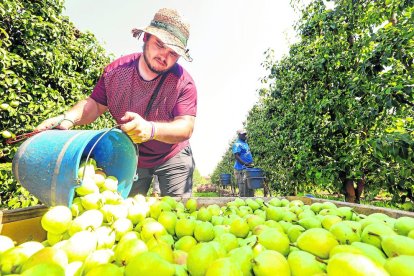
x,y
170,41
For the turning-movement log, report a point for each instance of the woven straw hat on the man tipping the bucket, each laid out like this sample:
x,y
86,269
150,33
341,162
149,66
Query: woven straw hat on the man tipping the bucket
x,y
169,26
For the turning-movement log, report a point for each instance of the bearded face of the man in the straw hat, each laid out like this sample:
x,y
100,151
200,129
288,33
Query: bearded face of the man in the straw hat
x,y
158,57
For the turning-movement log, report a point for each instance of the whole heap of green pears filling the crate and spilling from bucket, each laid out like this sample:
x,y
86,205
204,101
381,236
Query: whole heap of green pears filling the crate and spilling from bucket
x,y
103,234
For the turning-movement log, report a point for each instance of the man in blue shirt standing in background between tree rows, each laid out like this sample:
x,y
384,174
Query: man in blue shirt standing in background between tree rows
x,y
244,160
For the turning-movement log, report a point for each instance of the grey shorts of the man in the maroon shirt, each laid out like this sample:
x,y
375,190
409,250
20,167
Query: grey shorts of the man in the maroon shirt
x,y
175,176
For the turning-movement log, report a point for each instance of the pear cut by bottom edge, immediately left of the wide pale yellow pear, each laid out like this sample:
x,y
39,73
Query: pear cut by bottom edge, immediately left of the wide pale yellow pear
x,y
304,263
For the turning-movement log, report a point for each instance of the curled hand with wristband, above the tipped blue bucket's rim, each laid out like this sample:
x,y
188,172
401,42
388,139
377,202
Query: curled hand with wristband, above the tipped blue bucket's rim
x,y
138,129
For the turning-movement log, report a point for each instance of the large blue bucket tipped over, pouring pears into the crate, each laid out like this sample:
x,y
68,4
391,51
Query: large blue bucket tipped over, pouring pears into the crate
x,y
47,164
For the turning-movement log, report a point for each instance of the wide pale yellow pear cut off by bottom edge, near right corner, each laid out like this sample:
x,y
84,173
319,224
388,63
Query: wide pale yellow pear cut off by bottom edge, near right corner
x,y
353,264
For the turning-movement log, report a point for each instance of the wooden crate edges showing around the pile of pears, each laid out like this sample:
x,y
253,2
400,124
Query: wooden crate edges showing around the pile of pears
x,y
24,224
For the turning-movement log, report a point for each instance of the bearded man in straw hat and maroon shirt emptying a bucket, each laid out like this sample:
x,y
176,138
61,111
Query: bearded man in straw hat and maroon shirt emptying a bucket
x,y
154,100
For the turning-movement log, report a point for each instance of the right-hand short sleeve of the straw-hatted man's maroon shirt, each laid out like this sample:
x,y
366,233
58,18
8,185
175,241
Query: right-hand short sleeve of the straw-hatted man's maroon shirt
x,y
187,101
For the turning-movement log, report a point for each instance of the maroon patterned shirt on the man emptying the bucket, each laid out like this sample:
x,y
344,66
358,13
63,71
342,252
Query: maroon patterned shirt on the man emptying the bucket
x,y
122,89
